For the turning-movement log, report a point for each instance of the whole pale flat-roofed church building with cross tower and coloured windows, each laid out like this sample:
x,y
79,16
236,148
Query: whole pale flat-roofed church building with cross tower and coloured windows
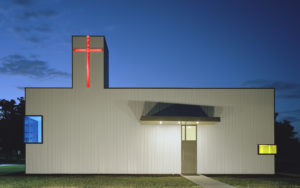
x,y
91,128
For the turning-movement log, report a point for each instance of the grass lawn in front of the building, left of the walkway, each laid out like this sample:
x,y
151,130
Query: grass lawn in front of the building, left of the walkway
x,y
55,181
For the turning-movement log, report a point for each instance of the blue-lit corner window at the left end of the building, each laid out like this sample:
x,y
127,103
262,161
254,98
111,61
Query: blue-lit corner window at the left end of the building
x,y
33,129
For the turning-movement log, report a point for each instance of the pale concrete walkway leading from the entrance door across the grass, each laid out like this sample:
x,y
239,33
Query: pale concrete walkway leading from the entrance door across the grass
x,y
206,182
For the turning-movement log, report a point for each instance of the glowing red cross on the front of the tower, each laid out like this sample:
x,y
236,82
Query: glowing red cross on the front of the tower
x,y
88,50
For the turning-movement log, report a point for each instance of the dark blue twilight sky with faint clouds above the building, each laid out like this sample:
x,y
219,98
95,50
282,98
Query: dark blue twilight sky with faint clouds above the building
x,y
158,43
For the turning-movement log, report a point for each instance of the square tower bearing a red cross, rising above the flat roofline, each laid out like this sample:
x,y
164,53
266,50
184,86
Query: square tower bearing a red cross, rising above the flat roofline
x,y
90,62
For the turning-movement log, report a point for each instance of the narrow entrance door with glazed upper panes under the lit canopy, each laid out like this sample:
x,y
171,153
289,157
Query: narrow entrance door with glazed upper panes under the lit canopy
x,y
189,149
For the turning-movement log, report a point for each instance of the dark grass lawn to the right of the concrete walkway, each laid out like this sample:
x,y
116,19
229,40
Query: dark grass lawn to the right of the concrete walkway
x,y
260,181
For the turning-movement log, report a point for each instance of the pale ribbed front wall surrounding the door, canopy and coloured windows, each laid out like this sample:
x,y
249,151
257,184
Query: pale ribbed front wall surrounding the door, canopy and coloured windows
x,y
97,131
